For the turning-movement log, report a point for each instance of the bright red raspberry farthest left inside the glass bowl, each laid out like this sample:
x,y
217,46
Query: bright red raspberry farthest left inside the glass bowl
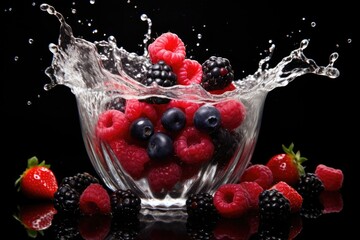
x,y
112,124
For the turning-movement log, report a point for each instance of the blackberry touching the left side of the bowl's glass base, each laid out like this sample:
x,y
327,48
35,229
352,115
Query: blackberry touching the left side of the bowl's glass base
x,y
125,203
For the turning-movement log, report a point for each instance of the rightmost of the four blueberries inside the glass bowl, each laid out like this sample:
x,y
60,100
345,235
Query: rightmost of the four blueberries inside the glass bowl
x,y
207,118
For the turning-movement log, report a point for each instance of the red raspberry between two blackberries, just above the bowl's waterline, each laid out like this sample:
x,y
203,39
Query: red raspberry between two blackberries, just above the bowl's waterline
x,y
190,72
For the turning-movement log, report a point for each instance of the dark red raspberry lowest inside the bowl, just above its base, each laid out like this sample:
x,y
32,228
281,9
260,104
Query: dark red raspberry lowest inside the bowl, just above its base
x,y
164,176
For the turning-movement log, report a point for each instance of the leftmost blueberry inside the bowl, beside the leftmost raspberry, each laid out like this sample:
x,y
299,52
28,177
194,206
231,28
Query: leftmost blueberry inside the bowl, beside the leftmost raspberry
x,y
142,128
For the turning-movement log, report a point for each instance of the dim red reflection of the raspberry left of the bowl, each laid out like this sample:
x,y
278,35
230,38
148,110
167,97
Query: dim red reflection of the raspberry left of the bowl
x,y
94,227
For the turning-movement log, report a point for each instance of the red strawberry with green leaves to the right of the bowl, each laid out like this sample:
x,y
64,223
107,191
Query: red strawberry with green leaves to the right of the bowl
x,y
287,166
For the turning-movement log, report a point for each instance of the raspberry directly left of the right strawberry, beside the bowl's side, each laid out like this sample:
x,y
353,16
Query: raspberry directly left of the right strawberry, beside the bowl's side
x,y
258,173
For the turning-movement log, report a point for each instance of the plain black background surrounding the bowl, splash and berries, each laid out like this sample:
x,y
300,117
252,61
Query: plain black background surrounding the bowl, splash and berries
x,y
317,114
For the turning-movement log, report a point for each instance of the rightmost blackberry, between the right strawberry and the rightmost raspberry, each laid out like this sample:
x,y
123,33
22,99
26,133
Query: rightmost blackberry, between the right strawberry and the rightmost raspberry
x,y
309,186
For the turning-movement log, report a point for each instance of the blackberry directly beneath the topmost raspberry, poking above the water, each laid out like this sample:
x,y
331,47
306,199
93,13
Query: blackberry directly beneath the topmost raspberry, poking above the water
x,y
161,74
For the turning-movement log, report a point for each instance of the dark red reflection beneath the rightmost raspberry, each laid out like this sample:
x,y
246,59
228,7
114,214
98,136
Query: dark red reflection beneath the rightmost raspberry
x,y
331,201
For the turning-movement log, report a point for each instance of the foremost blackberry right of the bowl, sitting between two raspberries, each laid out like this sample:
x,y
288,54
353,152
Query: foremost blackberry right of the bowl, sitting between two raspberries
x,y
273,205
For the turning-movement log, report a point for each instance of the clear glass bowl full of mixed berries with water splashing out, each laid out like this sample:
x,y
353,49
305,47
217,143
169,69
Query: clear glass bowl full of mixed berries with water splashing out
x,y
162,124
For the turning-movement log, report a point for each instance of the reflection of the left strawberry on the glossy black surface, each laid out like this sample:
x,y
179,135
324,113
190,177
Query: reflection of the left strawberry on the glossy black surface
x,y
36,217
